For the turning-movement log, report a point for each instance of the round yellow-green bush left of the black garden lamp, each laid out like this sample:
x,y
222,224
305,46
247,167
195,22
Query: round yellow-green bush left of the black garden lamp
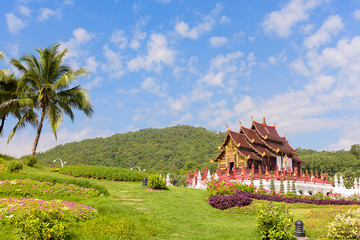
x,y
274,222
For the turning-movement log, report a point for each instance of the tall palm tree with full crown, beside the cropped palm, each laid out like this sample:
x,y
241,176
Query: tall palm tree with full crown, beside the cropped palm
x,y
45,86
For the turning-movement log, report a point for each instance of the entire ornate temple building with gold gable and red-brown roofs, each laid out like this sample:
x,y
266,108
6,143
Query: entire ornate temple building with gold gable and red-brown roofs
x,y
259,147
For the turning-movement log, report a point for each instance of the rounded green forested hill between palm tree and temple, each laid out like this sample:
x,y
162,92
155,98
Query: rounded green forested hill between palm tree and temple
x,y
167,149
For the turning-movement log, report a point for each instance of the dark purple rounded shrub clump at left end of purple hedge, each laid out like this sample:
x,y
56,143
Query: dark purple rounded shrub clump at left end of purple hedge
x,y
223,202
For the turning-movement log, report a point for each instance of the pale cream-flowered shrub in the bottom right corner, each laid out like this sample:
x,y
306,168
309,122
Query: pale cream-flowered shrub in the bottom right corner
x,y
345,226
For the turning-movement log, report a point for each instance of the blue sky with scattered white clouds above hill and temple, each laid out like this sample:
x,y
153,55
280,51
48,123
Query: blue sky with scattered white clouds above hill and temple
x,y
155,64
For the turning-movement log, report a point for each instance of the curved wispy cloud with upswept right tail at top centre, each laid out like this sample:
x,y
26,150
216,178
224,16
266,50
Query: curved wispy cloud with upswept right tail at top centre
x,y
205,26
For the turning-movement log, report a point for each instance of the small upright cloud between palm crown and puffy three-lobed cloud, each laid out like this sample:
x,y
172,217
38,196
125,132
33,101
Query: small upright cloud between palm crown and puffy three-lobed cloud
x,y
114,63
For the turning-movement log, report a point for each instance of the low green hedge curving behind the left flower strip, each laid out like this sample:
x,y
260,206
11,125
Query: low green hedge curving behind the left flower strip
x,y
42,178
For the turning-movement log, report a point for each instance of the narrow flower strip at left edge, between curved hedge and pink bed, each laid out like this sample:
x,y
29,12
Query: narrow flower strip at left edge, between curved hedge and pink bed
x,y
30,188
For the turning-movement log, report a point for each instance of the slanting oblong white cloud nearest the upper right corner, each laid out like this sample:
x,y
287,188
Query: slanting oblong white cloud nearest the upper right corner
x,y
329,28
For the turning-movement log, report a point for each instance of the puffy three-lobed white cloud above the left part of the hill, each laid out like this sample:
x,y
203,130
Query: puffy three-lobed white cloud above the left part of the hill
x,y
158,53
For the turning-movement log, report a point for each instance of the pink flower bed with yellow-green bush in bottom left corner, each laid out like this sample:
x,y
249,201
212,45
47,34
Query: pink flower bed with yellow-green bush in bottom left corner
x,y
39,219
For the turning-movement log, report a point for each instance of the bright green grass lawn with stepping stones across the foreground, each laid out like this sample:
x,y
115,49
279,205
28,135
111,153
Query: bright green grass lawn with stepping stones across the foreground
x,y
132,212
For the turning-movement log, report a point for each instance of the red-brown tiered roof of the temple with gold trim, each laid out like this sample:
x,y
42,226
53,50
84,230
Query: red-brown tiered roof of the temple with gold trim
x,y
259,141
